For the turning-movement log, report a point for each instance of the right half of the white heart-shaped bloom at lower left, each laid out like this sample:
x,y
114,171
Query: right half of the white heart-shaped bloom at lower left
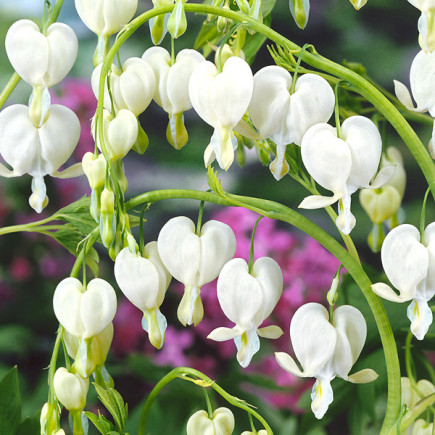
x,y
97,307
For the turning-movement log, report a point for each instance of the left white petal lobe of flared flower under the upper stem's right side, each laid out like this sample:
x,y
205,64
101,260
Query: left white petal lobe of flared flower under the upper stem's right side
x,y
327,158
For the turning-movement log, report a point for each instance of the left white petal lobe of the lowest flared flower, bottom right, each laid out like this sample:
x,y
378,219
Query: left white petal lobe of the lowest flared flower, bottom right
x,y
313,337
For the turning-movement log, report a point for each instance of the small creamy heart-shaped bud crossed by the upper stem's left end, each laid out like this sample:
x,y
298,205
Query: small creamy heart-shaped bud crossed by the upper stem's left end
x,y
119,132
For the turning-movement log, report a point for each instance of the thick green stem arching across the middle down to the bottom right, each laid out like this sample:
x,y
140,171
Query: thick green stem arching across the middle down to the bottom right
x,y
278,211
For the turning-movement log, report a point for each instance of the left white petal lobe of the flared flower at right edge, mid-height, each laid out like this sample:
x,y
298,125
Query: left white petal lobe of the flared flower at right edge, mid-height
x,y
405,259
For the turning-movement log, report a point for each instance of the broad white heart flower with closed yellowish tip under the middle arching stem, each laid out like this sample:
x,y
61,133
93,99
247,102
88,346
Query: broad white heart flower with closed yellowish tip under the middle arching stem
x,y
194,260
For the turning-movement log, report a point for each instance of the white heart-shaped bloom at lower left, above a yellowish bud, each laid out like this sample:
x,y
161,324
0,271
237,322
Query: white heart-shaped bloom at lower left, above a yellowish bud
x,y
84,313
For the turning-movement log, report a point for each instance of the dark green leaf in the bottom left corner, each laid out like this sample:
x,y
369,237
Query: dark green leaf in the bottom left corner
x,y
10,403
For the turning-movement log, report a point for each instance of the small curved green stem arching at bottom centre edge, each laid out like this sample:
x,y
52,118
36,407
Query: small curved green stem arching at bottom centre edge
x,y
185,373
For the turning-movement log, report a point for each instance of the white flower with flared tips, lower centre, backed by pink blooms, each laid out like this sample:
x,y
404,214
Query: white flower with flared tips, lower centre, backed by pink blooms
x,y
247,298
